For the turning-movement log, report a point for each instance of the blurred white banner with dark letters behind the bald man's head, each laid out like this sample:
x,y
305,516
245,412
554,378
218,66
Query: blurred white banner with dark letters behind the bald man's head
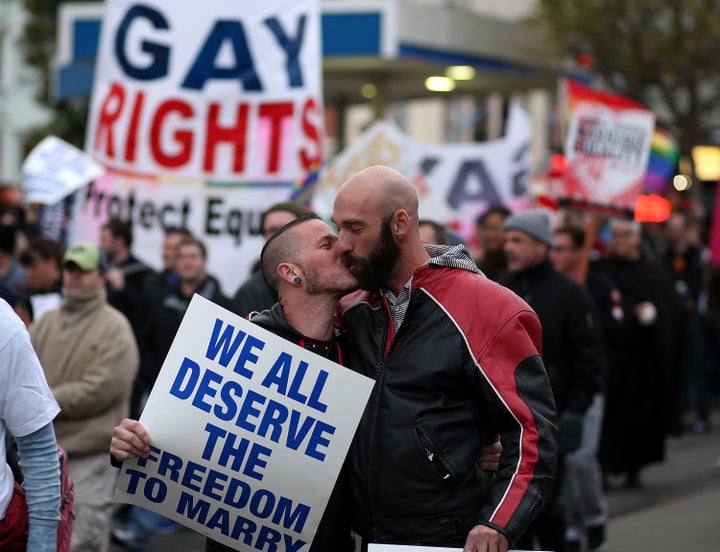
x,y
455,182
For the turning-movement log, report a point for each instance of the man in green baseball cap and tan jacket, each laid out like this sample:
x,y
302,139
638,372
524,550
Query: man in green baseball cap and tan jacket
x,y
90,357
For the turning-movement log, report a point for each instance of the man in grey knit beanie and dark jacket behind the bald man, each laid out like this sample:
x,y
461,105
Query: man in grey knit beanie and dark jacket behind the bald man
x,y
572,349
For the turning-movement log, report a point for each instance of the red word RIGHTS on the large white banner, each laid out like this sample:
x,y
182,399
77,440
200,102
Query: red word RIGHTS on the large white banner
x,y
166,134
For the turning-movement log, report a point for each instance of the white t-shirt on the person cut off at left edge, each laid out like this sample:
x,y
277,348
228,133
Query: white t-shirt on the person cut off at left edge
x,y
26,402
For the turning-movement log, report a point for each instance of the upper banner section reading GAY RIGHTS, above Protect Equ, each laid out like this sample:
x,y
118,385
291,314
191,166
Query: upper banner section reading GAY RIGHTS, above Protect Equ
x,y
215,90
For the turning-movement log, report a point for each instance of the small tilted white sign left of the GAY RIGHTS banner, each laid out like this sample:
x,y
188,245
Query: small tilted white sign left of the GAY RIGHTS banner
x,y
54,169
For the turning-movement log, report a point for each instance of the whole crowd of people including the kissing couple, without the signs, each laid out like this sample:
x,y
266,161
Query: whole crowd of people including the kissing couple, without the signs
x,y
537,361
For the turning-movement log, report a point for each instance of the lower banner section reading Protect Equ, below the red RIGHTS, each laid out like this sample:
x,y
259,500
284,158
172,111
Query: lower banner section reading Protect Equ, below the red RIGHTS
x,y
227,219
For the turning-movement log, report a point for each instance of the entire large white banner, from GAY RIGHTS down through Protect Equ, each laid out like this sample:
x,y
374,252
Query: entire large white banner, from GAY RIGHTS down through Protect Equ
x,y
214,102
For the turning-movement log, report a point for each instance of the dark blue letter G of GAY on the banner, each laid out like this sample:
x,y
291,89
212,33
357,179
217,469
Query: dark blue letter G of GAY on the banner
x,y
160,54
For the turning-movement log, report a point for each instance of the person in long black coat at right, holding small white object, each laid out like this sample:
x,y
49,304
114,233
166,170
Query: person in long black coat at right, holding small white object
x,y
640,395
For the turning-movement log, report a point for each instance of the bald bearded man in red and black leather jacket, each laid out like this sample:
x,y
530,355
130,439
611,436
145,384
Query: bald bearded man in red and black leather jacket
x,y
456,359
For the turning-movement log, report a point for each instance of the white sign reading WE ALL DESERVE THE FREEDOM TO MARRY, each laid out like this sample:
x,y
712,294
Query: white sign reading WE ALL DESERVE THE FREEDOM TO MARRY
x,y
249,433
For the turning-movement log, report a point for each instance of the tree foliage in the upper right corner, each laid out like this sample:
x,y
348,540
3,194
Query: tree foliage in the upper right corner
x,y
659,52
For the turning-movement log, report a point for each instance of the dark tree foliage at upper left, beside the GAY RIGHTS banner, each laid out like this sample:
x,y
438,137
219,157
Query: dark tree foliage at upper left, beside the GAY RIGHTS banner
x,y
38,44
